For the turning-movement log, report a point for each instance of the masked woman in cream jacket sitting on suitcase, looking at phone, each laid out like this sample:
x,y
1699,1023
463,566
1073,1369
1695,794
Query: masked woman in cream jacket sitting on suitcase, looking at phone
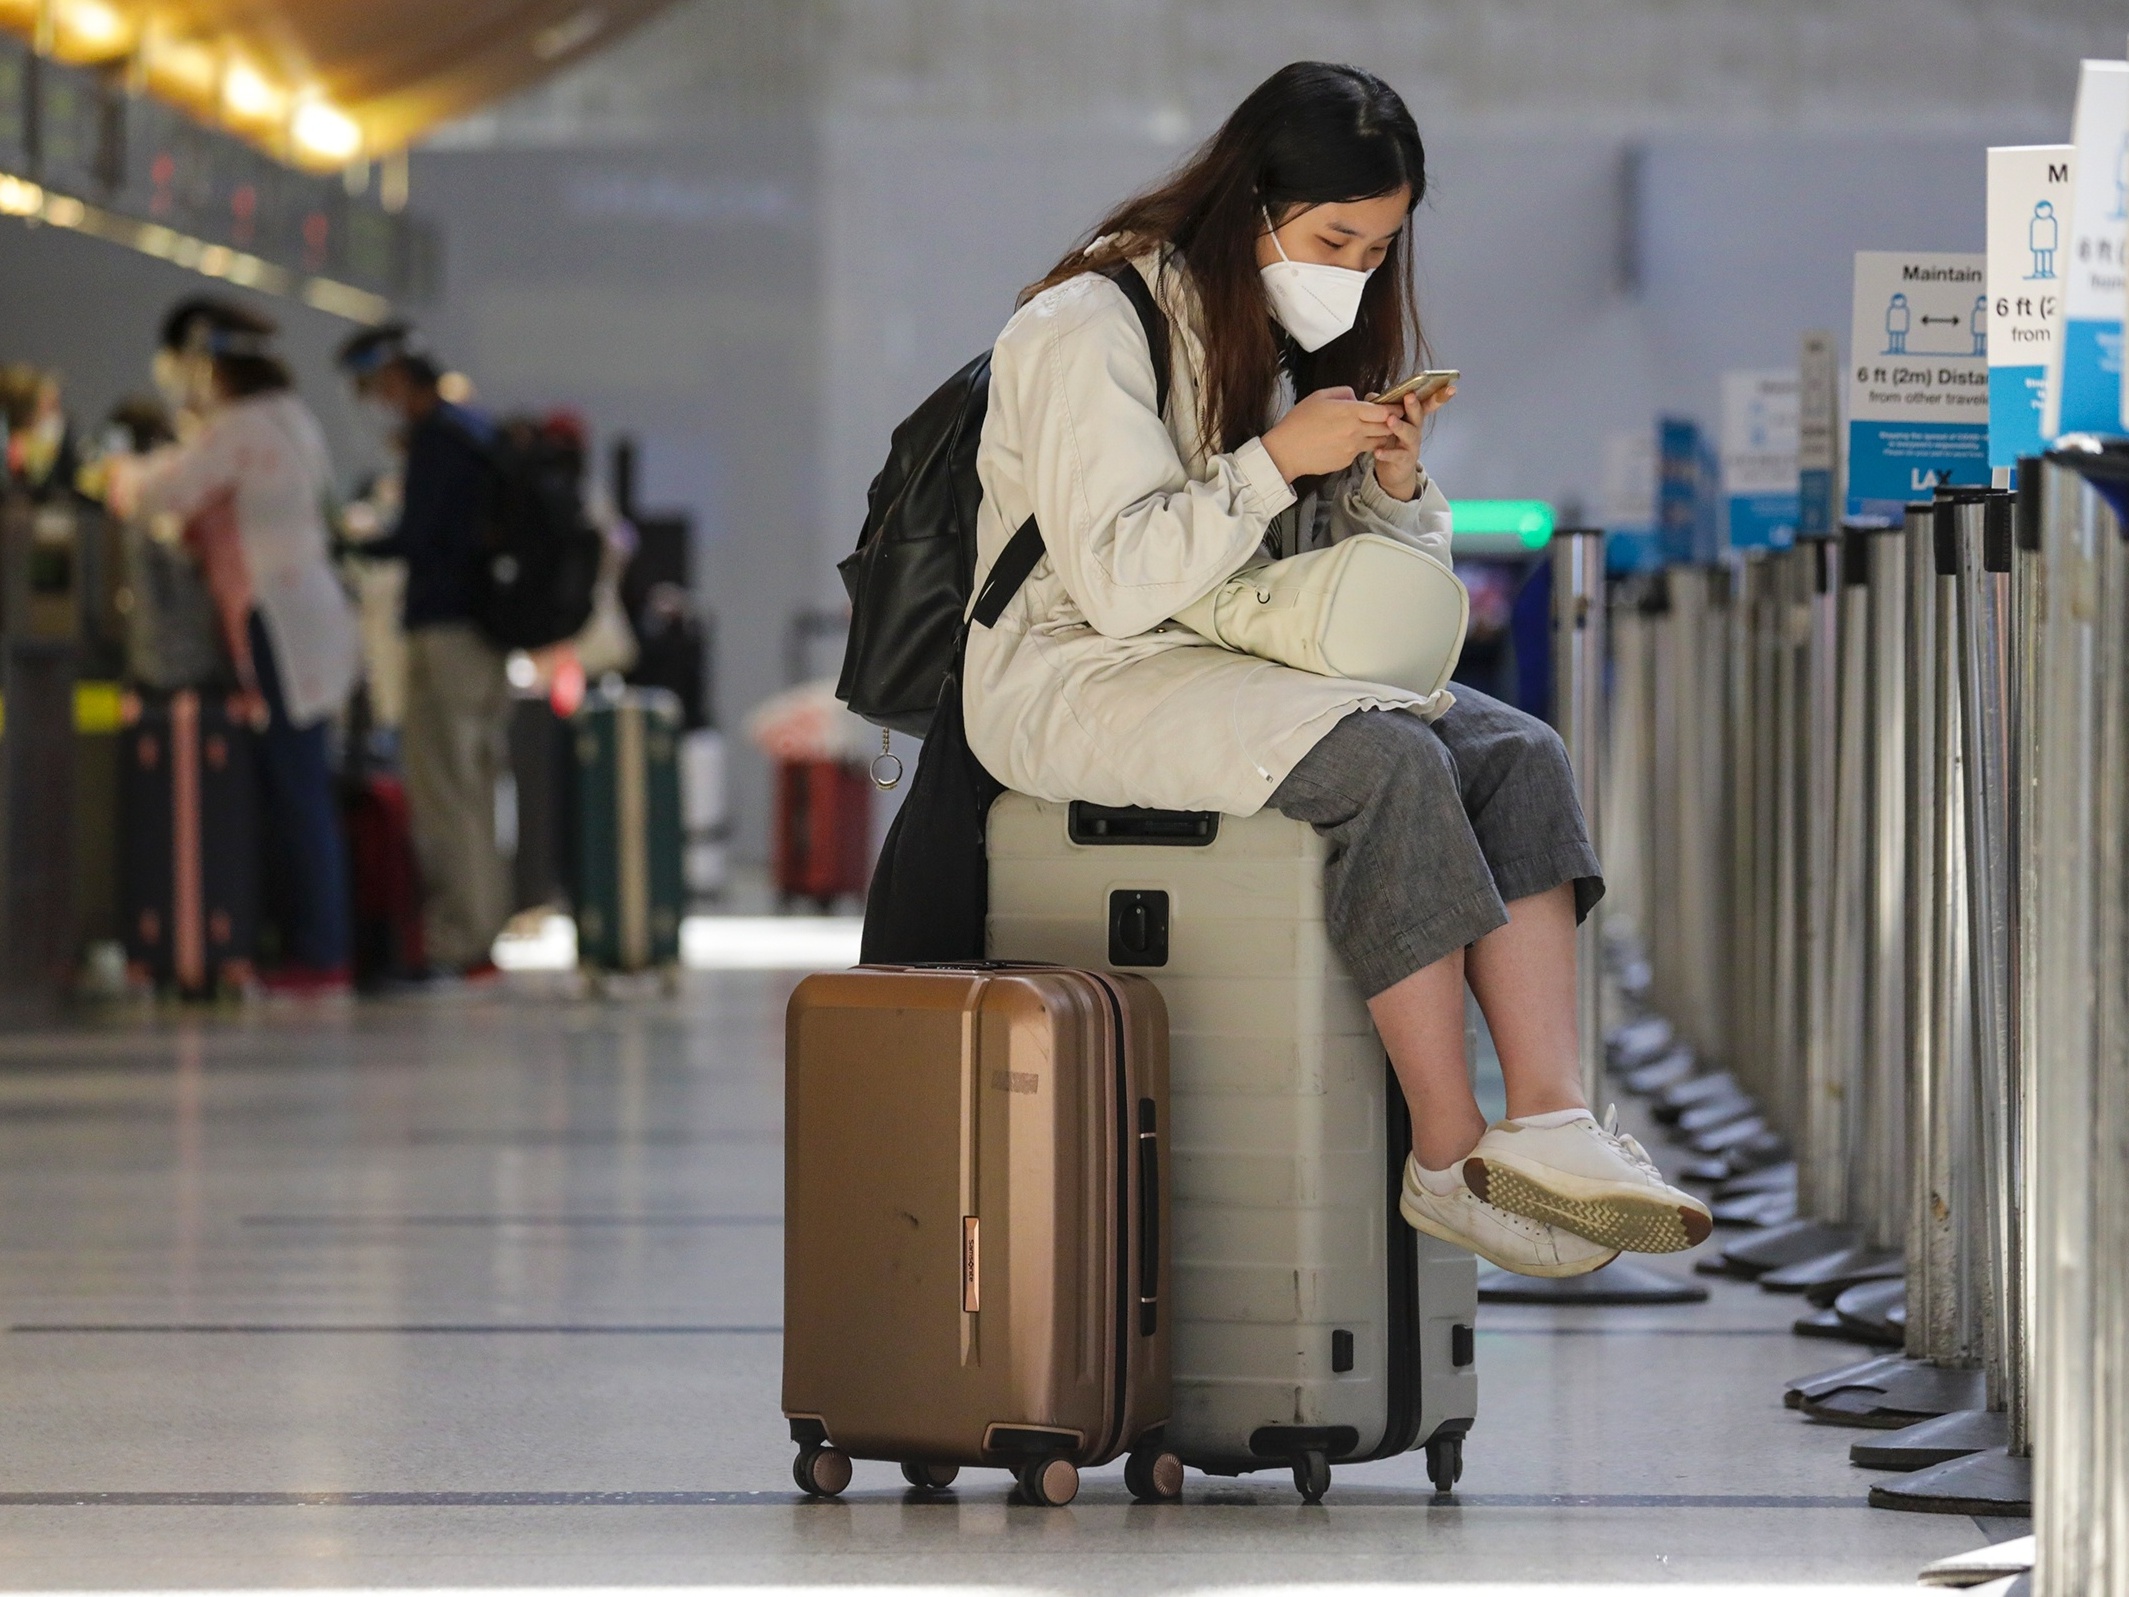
x,y
1457,844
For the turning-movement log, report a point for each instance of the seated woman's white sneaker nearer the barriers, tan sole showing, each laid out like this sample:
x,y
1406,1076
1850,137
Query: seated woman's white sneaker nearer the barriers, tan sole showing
x,y
1587,1179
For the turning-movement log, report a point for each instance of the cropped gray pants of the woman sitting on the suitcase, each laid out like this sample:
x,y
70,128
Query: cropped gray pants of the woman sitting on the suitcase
x,y
1436,829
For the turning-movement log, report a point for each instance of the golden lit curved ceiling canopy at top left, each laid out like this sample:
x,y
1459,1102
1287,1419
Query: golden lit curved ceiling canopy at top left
x,y
327,82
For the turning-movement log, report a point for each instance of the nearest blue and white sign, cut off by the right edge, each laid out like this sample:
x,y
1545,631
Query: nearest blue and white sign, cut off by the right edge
x,y
2090,350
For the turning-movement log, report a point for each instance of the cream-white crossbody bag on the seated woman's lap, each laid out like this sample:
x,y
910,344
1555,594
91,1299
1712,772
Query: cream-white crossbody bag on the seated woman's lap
x,y
1370,608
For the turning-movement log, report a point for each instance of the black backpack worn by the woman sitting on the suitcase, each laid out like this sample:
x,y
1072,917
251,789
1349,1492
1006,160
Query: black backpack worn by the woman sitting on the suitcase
x,y
914,565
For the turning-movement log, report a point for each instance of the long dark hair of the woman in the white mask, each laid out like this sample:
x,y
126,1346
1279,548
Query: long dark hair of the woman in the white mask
x,y
1308,135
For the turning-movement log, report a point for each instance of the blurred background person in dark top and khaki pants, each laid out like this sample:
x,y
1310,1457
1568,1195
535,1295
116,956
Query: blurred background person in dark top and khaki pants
x,y
457,693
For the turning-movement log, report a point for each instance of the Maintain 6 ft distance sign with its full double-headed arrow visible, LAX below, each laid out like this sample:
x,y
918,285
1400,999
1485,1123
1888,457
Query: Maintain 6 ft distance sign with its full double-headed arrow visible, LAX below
x,y
1917,378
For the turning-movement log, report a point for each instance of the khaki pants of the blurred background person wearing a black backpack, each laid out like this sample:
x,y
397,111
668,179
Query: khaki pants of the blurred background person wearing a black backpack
x,y
452,744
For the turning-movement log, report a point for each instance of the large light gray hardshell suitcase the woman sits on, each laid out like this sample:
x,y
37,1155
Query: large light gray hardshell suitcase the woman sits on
x,y
1313,1326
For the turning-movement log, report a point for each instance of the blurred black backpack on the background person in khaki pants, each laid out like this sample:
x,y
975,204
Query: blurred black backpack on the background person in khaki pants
x,y
540,550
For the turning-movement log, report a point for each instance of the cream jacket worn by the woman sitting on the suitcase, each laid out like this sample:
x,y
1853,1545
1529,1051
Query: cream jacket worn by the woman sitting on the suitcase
x,y
1085,689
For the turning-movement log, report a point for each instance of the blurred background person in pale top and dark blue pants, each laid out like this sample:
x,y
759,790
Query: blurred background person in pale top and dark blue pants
x,y
257,457
